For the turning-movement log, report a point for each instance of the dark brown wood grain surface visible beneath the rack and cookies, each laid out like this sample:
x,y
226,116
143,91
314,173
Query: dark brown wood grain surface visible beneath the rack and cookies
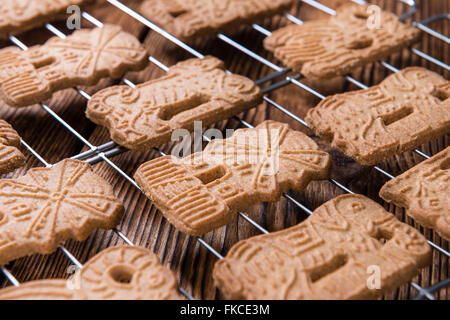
x,y
143,224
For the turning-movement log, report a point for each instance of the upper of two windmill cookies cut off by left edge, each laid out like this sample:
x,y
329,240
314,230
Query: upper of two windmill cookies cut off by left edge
x,y
83,58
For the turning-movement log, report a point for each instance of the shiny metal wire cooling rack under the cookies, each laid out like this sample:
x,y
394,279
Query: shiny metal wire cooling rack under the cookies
x,y
104,152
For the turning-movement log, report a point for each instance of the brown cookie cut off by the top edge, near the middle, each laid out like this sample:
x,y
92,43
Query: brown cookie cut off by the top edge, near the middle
x,y
188,19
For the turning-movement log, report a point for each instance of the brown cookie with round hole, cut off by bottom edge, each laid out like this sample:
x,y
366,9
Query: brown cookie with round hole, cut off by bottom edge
x,y
117,273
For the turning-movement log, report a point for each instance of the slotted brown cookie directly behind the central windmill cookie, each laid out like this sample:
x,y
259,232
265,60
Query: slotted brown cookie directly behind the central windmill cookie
x,y
194,90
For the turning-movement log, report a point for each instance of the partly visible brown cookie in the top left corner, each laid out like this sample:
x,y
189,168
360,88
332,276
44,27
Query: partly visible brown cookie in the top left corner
x,y
17,16
